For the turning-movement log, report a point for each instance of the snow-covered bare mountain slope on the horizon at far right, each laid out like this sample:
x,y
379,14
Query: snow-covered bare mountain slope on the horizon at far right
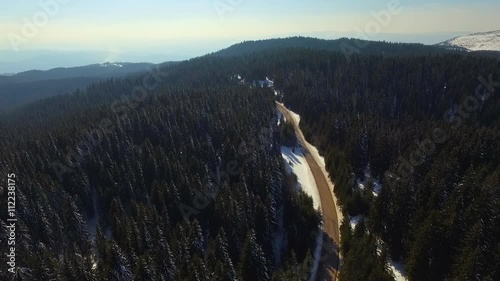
x,y
483,41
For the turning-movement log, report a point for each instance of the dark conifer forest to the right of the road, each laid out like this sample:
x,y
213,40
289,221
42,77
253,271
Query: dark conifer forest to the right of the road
x,y
428,130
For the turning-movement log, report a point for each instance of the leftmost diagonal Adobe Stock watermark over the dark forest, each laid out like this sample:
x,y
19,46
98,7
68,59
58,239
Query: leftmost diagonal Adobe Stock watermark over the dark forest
x,y
75,155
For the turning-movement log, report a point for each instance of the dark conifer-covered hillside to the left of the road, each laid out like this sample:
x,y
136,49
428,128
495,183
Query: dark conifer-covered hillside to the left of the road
x,y
185,182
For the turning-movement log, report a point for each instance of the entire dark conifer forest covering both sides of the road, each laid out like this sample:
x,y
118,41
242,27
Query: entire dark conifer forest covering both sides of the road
x,y
183,179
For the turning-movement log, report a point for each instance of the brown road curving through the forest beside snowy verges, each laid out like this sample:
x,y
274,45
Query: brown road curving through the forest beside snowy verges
x,y
329,262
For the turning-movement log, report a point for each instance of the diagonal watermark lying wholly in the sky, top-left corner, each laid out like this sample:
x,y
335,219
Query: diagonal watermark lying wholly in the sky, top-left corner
x,y
39,20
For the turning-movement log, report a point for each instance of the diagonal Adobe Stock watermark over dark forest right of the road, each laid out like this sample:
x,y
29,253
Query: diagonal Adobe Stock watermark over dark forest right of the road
x,y
455,116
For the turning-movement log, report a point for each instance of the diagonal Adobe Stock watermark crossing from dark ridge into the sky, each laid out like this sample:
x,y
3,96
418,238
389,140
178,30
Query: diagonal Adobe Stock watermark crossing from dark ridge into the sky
x,y
381,19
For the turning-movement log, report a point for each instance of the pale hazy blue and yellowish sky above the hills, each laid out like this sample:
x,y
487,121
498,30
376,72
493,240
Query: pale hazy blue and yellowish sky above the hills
x,y
128,30
